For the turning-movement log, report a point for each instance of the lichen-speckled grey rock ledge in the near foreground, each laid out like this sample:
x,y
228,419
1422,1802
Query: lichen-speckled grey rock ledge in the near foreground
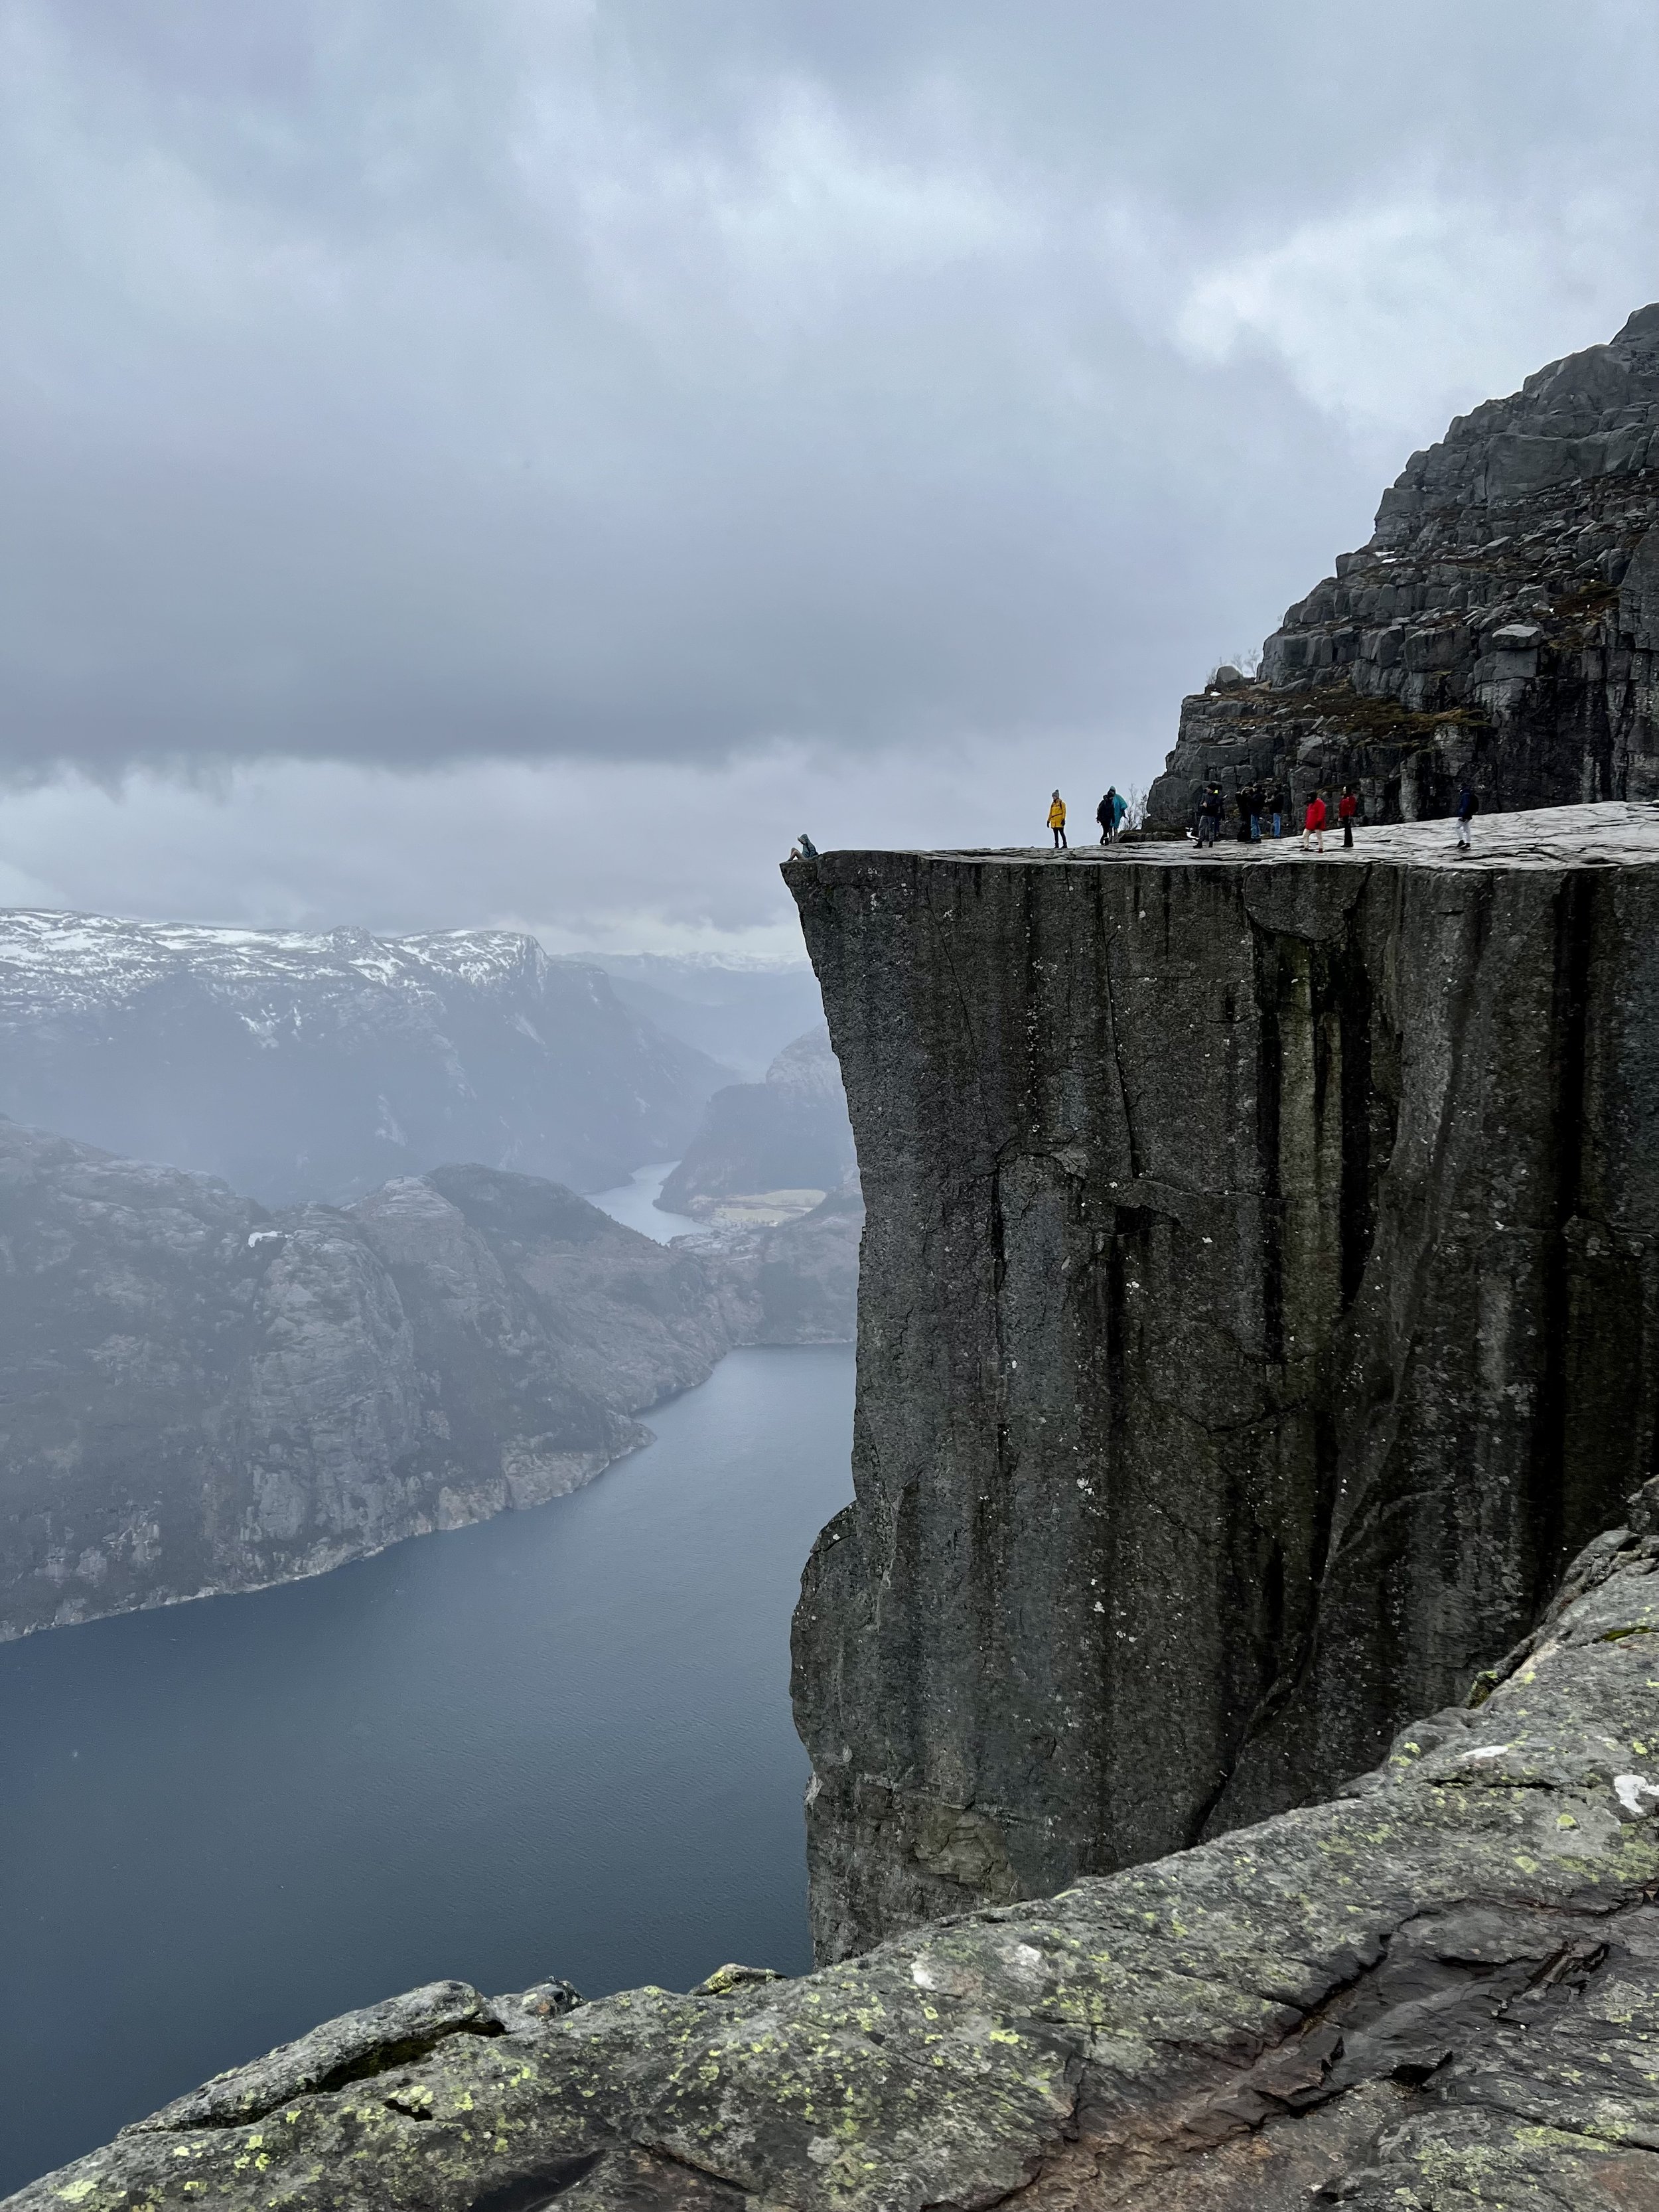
x,y
1437,1992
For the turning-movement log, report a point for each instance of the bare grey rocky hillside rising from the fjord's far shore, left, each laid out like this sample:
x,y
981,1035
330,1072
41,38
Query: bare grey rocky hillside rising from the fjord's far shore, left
x,y
198,1395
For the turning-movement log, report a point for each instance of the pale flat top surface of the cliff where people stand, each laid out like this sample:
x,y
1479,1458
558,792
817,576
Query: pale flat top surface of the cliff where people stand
x,y
1609,835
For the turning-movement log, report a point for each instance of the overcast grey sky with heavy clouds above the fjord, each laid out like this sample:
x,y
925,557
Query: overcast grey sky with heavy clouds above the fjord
x,y
523,461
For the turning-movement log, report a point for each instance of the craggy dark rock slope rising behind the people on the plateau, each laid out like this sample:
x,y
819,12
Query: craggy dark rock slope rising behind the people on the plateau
x,y
1501,627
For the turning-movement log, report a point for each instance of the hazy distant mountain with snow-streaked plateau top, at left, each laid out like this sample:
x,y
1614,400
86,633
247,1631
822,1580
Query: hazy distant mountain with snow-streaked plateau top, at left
x,y
317,1065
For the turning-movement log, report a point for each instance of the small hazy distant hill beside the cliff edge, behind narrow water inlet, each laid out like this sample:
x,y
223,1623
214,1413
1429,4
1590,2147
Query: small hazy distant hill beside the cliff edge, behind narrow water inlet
x,y
769,1154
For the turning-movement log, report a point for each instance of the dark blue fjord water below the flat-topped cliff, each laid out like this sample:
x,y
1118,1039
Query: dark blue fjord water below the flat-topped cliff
x,y
552,1744
